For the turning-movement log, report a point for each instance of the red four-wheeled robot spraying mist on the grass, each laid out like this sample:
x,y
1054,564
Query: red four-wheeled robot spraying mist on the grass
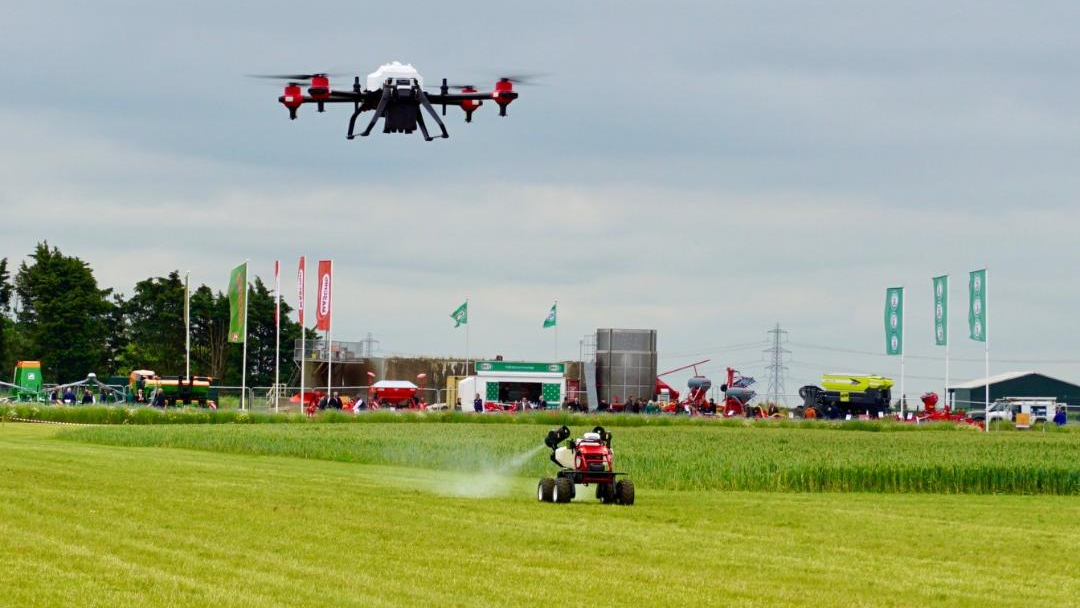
x,y
584,462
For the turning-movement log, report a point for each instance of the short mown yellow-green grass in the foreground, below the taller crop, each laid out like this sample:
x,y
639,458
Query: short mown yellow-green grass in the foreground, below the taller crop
x,y
100,525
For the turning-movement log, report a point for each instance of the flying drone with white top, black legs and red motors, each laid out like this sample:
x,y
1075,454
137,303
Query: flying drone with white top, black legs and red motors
x,y
396,94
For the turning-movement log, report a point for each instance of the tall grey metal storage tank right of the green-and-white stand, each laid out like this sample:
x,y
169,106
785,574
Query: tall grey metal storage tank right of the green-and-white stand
x,y
626,363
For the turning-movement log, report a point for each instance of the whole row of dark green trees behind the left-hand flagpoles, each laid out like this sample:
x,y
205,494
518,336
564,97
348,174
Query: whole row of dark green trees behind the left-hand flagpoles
x,y
53,310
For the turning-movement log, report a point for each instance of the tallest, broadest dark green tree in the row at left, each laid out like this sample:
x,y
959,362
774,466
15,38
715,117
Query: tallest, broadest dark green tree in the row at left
x,y
62,315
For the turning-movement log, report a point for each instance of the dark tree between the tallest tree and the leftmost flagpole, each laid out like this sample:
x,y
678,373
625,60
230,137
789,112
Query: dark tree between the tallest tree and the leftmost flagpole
x,y
155,325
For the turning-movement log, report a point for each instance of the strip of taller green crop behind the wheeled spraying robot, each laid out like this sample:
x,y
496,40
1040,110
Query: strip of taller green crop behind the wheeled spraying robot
x,y
680,458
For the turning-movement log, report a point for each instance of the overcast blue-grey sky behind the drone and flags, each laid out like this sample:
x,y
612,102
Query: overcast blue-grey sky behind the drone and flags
x,y
705,169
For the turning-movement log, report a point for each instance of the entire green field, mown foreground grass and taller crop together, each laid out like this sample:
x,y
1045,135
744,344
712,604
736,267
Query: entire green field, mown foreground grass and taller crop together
x,y
393,515
